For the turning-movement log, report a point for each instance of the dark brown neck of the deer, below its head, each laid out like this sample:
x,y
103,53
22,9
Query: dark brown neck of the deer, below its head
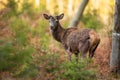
x,y
58,33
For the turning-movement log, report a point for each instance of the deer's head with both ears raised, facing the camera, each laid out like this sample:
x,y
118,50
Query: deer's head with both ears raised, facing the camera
x,y
53,20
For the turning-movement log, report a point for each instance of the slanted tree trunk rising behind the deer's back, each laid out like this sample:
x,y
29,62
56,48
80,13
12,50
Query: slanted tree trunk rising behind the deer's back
x,y
74,22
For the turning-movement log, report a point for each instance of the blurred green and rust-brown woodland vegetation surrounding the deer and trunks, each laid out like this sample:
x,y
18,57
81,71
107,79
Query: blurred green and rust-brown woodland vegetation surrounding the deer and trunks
x,y
28,52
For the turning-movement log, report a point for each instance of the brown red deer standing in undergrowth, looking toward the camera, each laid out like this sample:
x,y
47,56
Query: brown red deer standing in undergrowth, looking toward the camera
x,y
74,40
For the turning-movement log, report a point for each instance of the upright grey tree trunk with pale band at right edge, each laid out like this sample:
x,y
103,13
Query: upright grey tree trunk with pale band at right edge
x,y
115,55
